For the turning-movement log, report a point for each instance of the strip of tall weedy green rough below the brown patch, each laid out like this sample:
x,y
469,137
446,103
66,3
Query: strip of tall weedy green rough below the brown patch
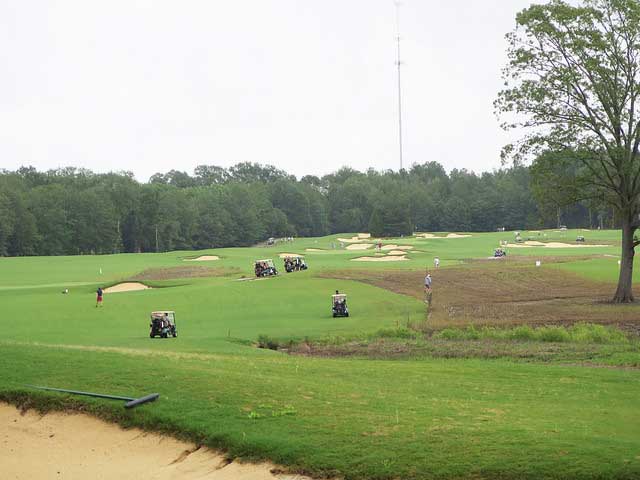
x,y
586,344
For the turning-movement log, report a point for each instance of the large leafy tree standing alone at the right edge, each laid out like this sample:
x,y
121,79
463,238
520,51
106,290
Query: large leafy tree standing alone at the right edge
x,y
573,82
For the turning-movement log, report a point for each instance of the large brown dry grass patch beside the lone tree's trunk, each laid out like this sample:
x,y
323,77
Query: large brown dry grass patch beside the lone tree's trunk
x,y
505,294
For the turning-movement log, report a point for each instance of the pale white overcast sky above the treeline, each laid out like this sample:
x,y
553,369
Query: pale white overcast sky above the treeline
x,y
305,85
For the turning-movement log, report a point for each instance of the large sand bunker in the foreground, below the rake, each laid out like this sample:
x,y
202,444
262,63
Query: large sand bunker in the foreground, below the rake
x,y
66,446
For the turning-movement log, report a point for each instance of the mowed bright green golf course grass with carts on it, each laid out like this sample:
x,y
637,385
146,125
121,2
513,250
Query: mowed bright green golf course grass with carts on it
x,y
421,418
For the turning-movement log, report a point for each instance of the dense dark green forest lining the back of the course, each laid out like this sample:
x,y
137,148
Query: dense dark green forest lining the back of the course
x,y
73,211
